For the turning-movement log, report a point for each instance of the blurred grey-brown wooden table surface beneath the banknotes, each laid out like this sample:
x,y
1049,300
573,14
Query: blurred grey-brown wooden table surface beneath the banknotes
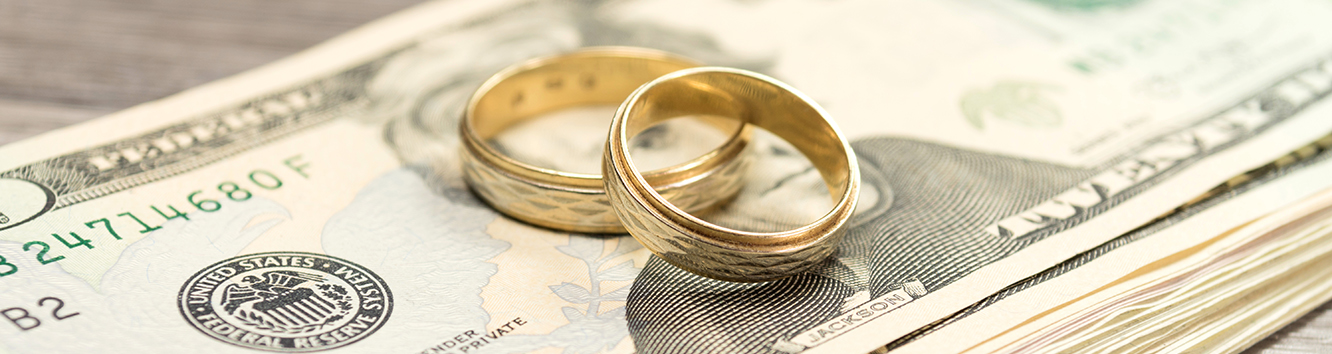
x,y
65,62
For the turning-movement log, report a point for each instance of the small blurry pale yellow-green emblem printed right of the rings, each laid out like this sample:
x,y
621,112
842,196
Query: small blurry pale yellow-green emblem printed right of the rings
x,y
1014,102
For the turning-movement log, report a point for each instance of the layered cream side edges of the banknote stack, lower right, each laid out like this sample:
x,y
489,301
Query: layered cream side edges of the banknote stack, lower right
x,y
1219,275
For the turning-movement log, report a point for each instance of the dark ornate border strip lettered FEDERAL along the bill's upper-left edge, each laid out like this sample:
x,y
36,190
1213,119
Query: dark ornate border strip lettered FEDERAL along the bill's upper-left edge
x,y
190,144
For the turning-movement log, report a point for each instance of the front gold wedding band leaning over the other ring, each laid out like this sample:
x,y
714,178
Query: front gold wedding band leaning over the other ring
x,y
701,247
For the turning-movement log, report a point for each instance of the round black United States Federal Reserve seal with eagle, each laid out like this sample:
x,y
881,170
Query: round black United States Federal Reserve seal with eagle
x,y
287,301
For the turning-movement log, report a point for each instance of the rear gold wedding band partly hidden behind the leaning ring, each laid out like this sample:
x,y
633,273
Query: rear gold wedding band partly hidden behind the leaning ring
x,y
576,202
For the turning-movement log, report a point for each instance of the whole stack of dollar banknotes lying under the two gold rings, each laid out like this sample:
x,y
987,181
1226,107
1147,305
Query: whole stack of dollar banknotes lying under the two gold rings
x,y
1040,176
